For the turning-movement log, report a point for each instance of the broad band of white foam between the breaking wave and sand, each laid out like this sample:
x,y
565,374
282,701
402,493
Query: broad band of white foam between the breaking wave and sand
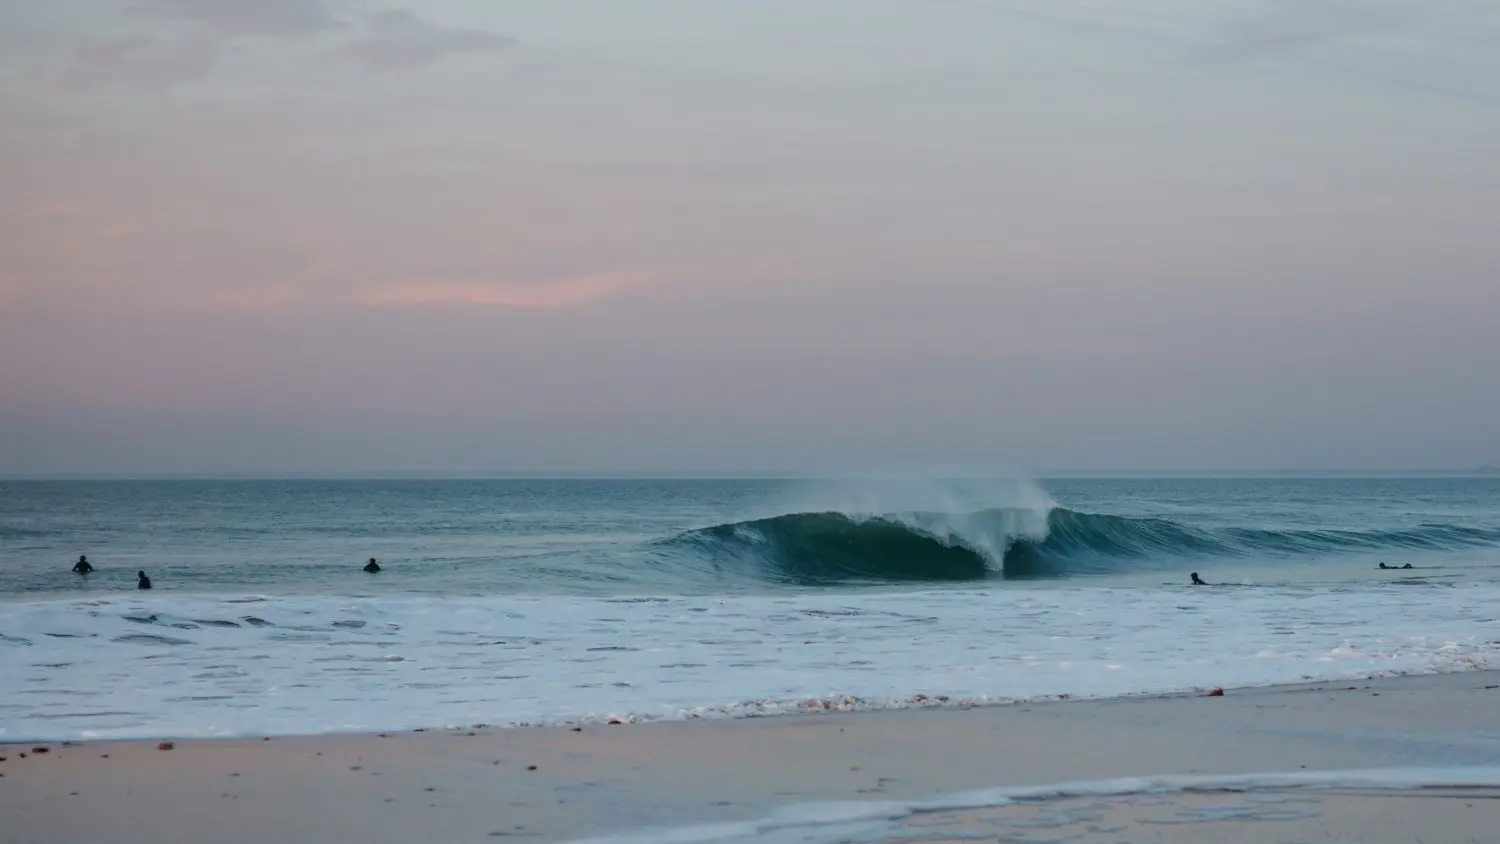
x,y
341,665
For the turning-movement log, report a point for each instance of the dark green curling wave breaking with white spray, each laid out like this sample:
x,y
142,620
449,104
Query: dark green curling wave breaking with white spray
x,y
833,548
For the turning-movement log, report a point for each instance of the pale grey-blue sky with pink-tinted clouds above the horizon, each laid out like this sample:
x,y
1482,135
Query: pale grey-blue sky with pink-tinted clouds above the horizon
x,y
568,236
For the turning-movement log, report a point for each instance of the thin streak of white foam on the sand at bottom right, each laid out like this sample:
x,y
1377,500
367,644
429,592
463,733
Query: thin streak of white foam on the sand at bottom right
x,y
814,824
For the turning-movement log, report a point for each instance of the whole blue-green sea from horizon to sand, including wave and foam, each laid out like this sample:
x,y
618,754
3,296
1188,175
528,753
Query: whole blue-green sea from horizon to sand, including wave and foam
x,y
508,602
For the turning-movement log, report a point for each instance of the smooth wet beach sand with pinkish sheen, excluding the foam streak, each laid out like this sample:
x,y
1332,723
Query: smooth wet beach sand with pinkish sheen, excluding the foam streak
x,y
559,785
